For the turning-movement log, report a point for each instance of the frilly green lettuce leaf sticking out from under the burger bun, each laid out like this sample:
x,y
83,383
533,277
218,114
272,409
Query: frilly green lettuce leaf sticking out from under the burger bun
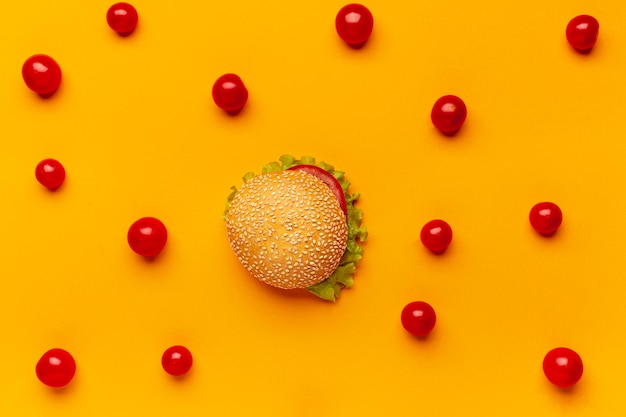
x,y
330,288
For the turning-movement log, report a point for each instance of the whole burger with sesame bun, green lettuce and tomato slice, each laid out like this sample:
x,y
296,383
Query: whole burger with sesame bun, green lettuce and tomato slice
x,y
295,225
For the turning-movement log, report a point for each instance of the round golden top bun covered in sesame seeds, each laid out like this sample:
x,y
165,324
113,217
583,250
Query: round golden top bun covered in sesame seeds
x,y
287,229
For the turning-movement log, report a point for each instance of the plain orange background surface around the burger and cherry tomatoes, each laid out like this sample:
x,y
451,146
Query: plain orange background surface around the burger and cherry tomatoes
x,y
136,128
